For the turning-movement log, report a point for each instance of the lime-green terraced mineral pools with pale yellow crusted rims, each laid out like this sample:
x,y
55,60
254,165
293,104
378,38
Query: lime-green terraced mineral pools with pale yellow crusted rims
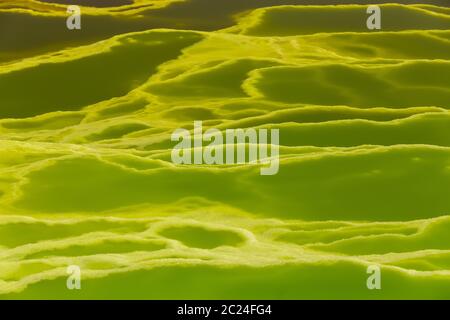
x,y
86,176
